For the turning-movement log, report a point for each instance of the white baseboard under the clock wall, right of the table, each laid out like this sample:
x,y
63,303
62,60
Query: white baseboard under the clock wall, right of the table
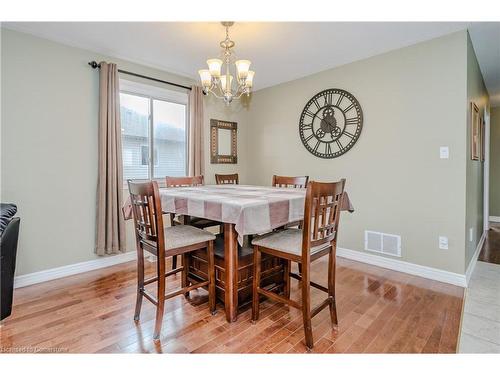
x,y
402,266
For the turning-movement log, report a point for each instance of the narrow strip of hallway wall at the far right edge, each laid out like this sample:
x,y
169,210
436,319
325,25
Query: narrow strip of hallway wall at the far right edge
x,y
495,162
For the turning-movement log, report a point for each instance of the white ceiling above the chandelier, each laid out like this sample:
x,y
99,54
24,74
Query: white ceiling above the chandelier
x,y
279,52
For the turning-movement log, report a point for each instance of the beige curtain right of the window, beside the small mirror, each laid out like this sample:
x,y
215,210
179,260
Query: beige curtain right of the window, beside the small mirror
x,y
196,160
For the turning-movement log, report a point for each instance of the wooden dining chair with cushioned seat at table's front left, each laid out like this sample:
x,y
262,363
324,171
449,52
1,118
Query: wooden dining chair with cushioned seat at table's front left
x,y
153,237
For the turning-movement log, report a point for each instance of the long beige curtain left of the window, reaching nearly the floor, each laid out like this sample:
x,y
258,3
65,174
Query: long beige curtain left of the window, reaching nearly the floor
x,y
110,238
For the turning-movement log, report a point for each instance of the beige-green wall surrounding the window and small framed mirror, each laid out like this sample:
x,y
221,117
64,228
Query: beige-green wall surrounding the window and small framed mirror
x,y
49,146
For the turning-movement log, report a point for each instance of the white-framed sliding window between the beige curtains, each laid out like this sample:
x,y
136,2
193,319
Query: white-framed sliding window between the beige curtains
x,y
154,131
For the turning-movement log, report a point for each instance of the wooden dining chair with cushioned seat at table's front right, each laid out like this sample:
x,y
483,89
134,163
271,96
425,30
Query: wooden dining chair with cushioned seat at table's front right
x,y
317,239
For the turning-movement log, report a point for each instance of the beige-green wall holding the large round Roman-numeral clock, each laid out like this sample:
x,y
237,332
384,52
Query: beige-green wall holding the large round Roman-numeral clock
x,y
413,103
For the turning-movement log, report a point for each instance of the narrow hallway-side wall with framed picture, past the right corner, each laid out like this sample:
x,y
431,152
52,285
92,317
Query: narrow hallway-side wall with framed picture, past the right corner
x,y
476,92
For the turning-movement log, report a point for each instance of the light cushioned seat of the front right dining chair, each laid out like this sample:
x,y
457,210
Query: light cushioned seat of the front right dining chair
x,y
287,241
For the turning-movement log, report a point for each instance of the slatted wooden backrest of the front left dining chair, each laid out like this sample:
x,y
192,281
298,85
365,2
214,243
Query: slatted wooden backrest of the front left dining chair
x,y
146,203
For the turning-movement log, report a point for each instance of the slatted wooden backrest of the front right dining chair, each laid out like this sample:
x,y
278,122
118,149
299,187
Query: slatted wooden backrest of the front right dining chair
x,y
321,213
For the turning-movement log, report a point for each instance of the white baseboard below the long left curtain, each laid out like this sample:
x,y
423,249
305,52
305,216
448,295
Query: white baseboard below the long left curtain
x,y
72,269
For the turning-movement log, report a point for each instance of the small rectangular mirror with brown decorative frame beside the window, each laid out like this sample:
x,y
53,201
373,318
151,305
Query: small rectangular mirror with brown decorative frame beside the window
x,y
223,142
